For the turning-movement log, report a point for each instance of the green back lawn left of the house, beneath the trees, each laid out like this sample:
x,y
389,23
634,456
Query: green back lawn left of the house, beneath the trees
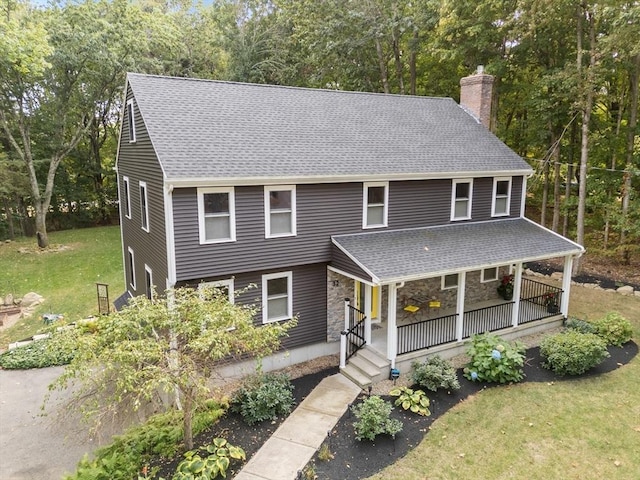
x,y
65,275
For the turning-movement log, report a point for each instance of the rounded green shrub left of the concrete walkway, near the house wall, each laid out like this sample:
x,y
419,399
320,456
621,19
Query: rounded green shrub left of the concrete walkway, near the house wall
x,y
264,397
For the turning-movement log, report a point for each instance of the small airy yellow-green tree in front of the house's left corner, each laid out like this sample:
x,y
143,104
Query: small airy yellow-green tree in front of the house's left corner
x,y
169,344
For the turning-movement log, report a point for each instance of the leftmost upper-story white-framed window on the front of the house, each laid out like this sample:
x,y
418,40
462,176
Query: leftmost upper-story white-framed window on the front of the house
x,y
216,215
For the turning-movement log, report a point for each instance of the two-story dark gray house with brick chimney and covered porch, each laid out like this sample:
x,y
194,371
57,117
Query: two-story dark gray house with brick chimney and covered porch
x,y
380,221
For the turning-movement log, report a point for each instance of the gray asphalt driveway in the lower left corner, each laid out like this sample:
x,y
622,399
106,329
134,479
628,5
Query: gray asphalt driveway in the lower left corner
x,y
33,446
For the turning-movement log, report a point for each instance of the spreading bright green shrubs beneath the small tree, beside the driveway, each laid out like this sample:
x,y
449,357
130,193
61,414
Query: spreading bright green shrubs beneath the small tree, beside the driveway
x,y
161,436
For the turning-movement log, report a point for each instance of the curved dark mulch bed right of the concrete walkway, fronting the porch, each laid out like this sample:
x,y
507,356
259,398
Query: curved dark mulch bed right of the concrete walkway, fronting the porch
x,y
355,459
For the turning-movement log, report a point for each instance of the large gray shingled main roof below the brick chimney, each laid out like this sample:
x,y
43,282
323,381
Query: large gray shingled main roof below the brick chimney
x,y
222,130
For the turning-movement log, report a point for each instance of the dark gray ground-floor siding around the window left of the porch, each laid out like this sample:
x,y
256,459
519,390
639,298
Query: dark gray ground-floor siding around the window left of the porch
x,y
309,301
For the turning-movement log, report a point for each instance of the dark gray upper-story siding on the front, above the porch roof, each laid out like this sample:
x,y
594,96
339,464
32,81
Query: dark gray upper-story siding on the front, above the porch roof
x,y
322,211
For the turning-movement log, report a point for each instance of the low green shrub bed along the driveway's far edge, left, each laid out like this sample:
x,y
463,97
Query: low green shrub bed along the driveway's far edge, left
x,y
47,352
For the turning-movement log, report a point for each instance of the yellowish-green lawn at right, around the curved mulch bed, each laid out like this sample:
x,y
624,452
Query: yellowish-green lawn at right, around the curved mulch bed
x,y
574,429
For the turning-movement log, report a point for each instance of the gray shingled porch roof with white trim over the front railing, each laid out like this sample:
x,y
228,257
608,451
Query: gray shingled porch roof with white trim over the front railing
x,y
403,255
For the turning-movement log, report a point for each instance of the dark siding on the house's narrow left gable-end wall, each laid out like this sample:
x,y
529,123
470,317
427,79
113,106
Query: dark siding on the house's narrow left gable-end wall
x,y
138,162
